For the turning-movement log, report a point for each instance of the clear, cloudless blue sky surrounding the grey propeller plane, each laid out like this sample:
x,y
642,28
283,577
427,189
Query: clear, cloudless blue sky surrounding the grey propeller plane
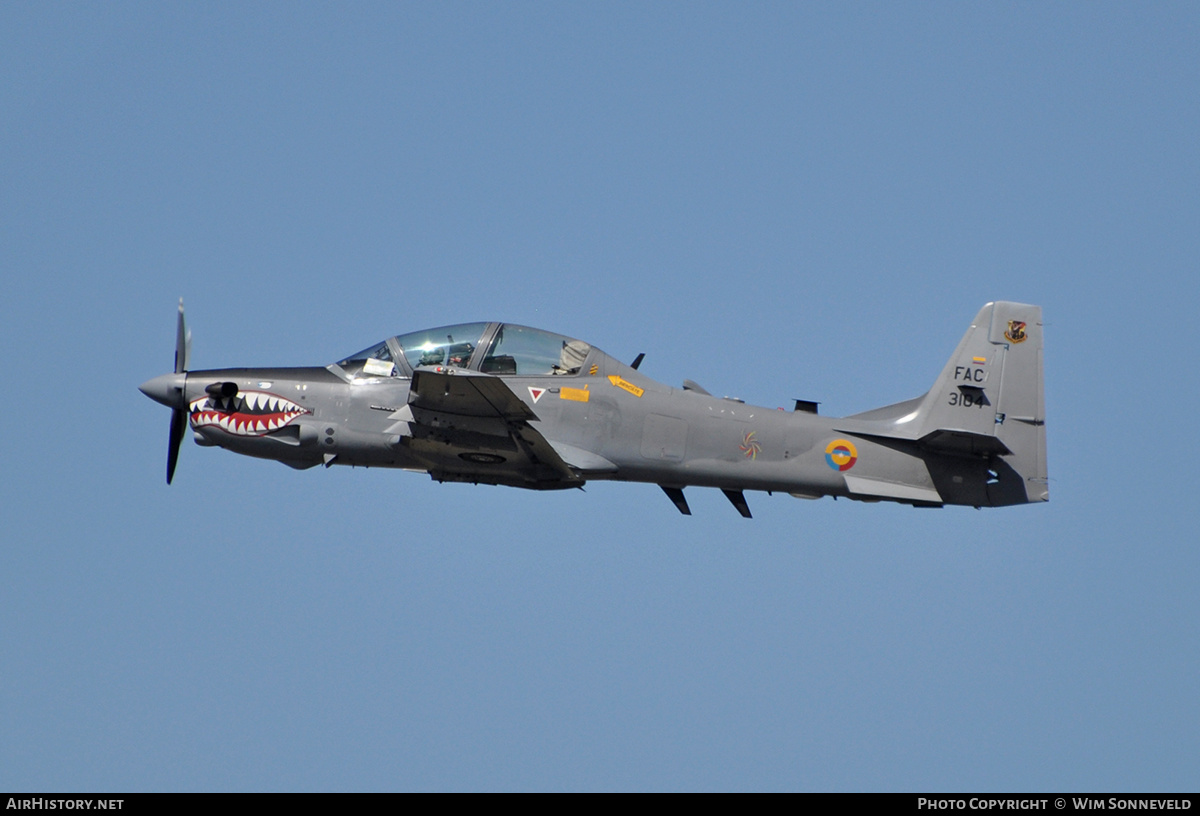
x,y
777,201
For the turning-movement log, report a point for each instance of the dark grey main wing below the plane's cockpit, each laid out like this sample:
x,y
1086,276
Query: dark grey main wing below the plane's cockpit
x,y
470,427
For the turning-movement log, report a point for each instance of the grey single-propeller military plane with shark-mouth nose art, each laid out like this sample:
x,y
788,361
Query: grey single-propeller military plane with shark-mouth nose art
x,y
497,404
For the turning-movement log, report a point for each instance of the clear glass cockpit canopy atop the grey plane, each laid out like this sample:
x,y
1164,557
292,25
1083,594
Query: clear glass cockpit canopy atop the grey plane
x,y
495,349
